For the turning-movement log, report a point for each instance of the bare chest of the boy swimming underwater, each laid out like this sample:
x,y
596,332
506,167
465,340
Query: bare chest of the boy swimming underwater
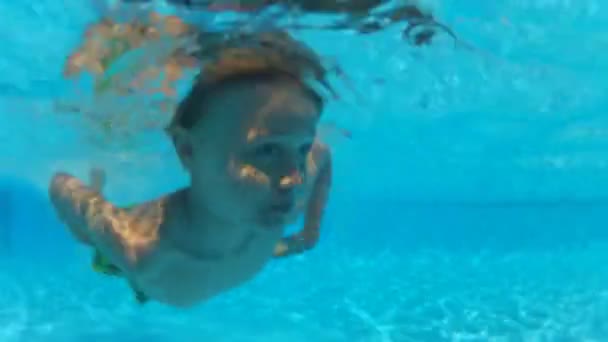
x,y
168,272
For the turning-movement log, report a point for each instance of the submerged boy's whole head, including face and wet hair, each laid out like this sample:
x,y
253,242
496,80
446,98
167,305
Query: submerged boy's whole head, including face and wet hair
x,y
245,130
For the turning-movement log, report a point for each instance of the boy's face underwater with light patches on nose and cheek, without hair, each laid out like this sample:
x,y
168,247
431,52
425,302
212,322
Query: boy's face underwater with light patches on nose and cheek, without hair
x,y
250,152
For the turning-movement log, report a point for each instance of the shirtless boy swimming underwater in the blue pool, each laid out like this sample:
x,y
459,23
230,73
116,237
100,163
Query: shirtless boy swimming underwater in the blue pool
x,y
246,134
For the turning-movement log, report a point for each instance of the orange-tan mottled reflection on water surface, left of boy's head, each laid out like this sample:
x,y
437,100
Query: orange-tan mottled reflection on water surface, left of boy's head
x,y
106,42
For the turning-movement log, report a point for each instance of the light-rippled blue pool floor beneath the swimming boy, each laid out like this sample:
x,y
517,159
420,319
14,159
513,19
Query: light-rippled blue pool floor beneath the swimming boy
x,y
559,295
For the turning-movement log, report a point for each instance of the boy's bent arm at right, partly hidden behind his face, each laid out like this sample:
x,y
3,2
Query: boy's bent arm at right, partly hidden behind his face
x,y
307,238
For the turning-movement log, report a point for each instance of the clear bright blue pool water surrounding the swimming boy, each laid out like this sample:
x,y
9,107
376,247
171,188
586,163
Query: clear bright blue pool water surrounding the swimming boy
x,y
469,206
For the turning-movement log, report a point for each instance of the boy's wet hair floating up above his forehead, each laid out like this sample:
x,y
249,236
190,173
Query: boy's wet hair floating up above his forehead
x,y
250,57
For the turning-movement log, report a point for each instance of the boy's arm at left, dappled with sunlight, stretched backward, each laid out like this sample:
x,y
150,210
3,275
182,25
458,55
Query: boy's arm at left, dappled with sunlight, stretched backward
x,y
92,219
